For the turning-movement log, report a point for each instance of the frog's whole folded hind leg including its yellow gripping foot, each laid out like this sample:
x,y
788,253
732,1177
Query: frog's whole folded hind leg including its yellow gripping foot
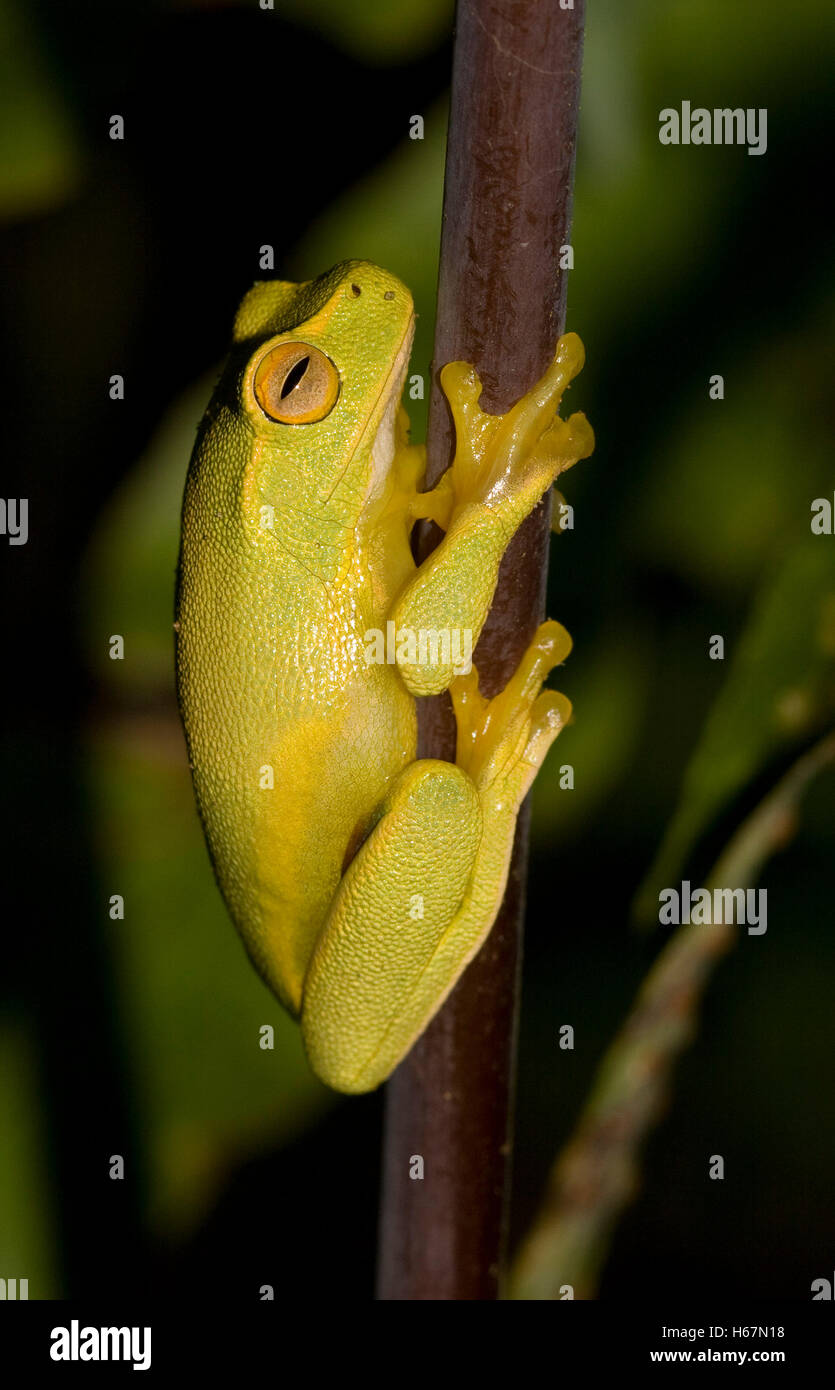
x,y
423,893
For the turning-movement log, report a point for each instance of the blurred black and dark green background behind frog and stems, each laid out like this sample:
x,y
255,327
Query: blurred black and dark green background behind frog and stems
x,y
140,1038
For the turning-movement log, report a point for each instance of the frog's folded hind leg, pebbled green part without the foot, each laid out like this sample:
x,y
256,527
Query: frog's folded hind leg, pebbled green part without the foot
x,y
367,995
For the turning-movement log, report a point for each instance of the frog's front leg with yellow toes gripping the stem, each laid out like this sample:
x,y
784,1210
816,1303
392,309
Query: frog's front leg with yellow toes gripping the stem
x,y
502,468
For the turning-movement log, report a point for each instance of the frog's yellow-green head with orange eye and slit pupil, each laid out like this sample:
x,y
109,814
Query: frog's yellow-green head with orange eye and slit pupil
x,y
319,370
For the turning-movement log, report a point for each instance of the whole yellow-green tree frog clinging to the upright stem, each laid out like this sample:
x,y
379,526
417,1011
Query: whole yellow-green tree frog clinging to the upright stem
x,y
362,878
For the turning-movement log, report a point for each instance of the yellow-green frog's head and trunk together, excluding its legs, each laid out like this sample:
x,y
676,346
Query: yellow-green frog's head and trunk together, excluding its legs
x,y
292,739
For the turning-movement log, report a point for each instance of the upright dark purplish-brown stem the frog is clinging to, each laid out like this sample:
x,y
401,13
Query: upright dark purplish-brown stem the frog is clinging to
x,y
501,306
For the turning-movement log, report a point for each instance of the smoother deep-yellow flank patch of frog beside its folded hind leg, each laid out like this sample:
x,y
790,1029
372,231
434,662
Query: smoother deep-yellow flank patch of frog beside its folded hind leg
x,y
331,774
